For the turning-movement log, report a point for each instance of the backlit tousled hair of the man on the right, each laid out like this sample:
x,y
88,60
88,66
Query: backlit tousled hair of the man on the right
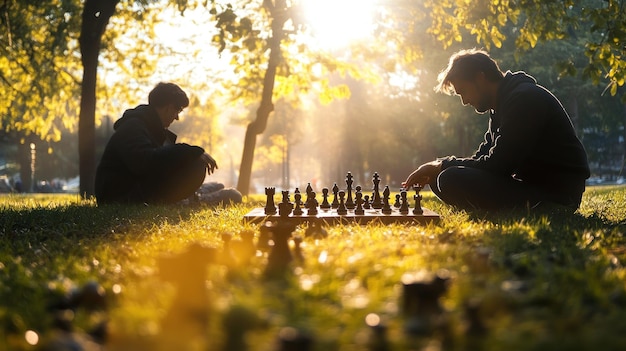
x,y
464,65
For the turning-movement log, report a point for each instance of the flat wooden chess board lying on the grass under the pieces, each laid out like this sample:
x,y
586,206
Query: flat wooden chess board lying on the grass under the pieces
x,y
330,216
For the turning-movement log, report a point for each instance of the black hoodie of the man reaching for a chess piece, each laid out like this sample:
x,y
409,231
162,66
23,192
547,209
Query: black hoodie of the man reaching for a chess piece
x,y
531,138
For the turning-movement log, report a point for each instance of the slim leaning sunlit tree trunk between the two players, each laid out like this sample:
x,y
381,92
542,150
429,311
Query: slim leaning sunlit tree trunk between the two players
x,y
257,126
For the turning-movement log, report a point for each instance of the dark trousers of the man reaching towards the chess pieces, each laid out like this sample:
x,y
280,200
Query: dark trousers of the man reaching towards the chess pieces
x,y
471,189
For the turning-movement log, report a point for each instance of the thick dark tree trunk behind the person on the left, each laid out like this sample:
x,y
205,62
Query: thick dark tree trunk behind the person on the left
x,y
96,15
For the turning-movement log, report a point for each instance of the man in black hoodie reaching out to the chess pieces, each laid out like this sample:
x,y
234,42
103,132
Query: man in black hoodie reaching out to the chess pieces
x,y
530,153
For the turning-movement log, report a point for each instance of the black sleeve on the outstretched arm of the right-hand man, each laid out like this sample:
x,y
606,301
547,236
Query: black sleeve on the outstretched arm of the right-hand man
x,y
522,120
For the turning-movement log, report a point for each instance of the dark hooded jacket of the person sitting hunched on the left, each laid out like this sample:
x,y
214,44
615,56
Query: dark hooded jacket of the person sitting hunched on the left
x,y
140,153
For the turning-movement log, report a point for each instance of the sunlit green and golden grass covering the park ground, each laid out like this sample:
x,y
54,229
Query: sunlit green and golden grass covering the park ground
x,y
535,281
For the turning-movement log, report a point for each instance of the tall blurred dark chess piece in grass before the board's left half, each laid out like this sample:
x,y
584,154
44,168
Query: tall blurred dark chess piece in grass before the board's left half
x,y
280,255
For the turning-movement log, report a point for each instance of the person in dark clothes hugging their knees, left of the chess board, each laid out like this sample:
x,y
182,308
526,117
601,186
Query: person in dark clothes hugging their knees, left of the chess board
x,y
142,163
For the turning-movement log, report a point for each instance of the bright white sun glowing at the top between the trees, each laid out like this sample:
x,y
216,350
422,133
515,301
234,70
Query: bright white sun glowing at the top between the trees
x,y
338,23
